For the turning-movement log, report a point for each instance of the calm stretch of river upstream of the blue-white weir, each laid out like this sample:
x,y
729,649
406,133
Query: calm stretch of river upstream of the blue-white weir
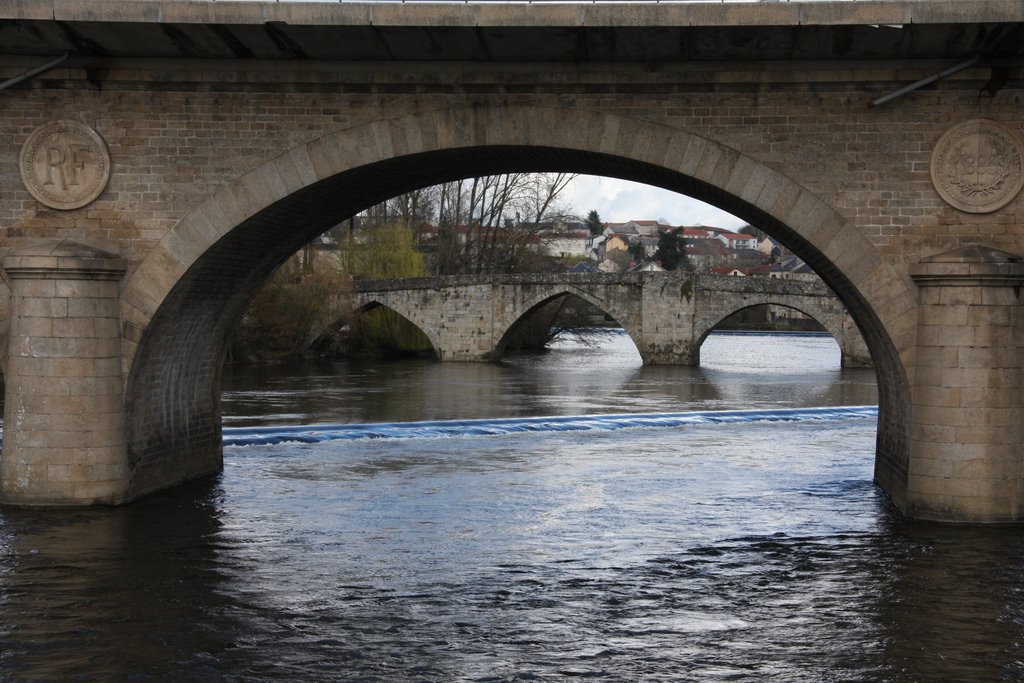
x,y
600,374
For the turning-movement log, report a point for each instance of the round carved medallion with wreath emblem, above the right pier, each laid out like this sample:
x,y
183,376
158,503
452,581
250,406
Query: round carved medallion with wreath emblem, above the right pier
x,y
977,166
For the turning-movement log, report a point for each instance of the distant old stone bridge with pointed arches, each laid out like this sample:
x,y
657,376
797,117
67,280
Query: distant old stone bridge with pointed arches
x,y
667,316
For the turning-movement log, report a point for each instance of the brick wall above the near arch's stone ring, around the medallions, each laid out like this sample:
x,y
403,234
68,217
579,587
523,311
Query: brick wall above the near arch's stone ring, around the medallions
x,y
179,136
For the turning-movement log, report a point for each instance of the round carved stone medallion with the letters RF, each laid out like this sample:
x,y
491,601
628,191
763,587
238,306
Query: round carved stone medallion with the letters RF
x,y
65,164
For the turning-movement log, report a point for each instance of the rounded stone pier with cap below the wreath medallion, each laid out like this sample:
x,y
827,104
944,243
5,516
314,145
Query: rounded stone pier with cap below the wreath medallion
x,y
968,409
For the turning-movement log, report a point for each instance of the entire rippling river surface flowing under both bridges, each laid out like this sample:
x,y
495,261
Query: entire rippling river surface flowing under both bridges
x,y
533,540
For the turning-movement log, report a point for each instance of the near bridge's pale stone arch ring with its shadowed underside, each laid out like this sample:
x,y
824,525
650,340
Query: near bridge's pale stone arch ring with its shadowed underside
x,y
181,306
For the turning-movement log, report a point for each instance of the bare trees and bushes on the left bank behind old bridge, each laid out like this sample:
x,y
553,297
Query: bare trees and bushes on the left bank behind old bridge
x,y
471,227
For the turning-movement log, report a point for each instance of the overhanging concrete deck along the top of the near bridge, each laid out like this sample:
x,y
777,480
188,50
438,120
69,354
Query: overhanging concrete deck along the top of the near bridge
x,y
584,32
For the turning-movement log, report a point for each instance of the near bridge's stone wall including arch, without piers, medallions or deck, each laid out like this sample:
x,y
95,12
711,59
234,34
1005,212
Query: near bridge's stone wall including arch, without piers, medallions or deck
x,y
222,169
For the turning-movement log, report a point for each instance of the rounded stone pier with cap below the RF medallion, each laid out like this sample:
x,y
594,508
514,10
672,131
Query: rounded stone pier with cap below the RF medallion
x,y
64,441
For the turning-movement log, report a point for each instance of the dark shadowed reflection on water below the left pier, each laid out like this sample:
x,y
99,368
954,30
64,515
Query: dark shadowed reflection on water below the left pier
x,y
112,594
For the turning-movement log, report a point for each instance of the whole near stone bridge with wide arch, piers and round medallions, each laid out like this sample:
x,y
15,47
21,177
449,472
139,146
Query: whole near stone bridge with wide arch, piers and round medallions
x,y
162,157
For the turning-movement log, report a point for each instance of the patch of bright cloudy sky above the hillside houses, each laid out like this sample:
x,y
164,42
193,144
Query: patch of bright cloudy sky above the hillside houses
x,y
620,201
